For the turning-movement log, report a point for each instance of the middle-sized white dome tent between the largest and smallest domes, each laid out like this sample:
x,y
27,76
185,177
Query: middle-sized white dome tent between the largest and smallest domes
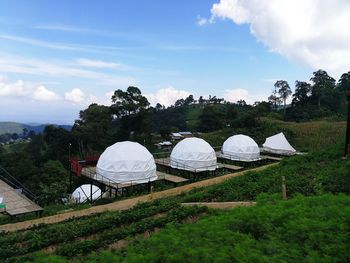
x,y
193,154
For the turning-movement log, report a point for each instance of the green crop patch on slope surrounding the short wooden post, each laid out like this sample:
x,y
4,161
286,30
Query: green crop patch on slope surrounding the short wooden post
x,y
315,173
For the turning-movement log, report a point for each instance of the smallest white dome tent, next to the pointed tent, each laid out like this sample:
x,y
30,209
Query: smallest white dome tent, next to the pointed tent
x,y
240,148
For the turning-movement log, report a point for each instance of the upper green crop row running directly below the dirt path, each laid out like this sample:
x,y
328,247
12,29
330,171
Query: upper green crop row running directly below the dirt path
x,y
20,243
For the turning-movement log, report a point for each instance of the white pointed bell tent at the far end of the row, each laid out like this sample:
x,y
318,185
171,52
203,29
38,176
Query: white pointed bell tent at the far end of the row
x,y
278,144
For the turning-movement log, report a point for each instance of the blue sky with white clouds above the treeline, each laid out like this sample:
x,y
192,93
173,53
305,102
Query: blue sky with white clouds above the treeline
x,y
57,57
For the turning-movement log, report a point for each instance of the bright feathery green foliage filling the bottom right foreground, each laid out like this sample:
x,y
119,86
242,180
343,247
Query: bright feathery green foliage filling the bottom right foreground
x,y
313,229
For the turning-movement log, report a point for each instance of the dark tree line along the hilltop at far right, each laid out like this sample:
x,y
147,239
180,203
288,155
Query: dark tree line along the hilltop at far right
x,y
320,97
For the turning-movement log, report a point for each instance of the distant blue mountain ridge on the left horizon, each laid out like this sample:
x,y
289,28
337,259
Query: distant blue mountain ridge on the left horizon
x,y
16,127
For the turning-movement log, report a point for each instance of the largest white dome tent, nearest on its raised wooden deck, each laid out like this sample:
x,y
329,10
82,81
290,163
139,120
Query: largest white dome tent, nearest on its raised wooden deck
x,y
126,162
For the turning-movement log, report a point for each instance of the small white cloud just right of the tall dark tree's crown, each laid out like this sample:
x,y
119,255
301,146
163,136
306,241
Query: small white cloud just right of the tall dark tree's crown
x,y
167,96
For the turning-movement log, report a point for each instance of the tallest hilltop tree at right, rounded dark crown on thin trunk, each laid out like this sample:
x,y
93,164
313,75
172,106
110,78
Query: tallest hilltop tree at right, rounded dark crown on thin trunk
x,y
322,83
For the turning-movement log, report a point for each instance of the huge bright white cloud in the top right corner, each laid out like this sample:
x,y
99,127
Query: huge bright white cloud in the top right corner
x,y
312,32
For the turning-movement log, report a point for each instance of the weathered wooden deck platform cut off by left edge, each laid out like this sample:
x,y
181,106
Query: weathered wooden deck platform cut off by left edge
x,y
16,202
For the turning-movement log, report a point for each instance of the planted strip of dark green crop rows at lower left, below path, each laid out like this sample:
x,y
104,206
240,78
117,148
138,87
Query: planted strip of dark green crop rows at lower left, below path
x,y
83,235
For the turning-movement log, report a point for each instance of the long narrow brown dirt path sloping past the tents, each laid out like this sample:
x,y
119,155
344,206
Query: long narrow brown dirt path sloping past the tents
x,y
123,204
